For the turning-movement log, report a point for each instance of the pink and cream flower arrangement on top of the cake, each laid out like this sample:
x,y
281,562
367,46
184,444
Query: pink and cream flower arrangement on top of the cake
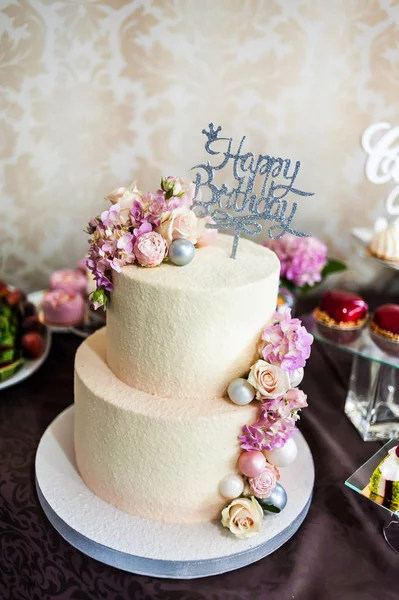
x,y
139,228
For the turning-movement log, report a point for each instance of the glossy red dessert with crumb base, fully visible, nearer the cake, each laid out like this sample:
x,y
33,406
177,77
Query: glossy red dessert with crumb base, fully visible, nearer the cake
x,y
341,316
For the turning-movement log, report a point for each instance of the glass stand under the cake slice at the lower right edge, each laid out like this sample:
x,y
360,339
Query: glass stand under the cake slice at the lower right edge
x,y
359,482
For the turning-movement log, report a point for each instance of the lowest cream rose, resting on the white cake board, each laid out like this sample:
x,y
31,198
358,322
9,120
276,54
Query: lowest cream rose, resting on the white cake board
x,y
243,516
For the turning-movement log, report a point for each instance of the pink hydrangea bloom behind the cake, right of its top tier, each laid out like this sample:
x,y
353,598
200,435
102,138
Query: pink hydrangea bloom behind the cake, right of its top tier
x,y
302,258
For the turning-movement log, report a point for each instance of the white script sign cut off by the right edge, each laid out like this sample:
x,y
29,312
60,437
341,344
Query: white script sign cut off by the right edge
x,y
383,159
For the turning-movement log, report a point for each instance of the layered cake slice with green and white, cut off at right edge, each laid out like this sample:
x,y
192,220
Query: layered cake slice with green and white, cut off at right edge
x,y
384,482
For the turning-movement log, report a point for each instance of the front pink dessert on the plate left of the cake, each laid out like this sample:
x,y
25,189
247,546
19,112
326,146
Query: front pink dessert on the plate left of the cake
x,y
62,308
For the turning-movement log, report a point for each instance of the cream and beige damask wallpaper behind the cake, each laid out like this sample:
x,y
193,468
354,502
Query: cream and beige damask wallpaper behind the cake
x,y
98,93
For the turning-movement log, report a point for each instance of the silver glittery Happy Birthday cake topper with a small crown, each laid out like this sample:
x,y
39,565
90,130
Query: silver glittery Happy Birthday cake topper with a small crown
x,y
240,208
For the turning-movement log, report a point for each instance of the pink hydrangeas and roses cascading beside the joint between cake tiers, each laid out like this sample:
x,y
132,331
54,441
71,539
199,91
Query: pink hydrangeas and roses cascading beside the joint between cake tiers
x,y
286,346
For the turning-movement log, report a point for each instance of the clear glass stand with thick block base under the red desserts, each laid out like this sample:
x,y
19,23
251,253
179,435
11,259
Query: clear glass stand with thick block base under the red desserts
x,y
372,403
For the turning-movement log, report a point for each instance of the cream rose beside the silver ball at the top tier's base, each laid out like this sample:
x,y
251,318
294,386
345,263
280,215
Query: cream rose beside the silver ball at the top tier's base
x,y
268,380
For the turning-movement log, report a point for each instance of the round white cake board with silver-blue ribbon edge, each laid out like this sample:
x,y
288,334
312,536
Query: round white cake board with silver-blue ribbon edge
x,y
137,545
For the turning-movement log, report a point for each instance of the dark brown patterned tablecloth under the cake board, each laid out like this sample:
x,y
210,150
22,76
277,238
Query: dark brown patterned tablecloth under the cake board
x,y
338,553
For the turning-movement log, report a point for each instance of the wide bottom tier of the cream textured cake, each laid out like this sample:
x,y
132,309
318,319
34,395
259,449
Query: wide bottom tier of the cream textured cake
x,y
160,458
